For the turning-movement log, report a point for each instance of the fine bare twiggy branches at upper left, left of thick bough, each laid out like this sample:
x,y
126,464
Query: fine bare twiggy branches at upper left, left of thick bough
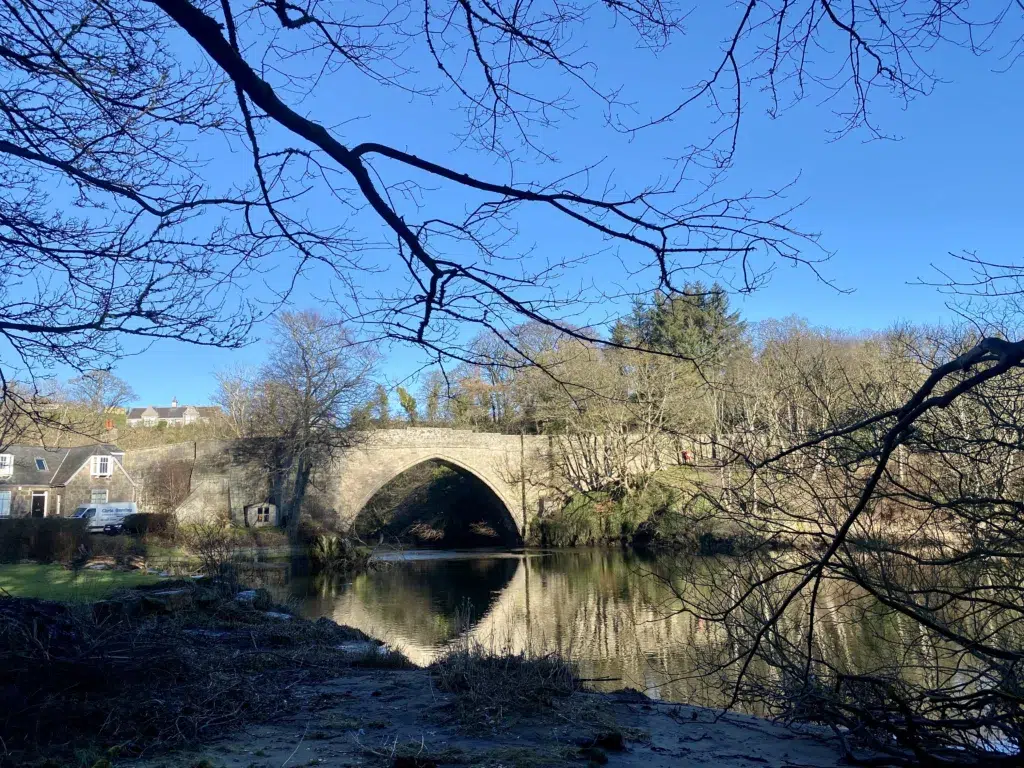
x,y
107,230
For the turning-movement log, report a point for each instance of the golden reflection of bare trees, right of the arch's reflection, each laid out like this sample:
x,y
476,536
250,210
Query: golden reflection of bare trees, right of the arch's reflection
x,y
621,616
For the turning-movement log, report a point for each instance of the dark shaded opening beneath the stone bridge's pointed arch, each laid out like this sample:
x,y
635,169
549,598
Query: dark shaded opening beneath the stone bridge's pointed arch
x,y
435,504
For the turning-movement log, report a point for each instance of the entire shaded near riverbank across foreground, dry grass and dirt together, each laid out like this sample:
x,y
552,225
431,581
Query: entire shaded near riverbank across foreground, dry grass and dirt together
x,y
196,674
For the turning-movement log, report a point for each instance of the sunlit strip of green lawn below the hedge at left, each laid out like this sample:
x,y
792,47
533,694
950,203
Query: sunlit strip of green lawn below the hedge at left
x,y
56,583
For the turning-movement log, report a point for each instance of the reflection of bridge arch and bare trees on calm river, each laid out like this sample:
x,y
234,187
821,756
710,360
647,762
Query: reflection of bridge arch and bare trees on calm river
x,y
611,611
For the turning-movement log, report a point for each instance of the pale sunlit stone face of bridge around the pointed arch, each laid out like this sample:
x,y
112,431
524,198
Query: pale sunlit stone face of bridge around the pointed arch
x,y
504,463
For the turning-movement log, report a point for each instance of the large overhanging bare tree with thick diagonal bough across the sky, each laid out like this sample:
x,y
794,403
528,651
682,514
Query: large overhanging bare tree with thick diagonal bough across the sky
x,y
120,220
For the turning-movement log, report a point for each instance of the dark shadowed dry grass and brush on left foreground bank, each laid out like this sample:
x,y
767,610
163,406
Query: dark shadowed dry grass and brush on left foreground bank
x,y
72,681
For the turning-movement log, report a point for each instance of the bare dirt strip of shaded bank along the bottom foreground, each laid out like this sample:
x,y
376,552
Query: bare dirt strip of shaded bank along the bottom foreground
x,y
399,718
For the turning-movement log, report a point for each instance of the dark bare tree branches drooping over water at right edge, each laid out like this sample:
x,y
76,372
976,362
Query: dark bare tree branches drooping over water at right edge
x,y
878,483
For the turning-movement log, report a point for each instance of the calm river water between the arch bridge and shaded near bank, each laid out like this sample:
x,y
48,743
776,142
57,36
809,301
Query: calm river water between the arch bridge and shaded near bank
x,y
603,609
